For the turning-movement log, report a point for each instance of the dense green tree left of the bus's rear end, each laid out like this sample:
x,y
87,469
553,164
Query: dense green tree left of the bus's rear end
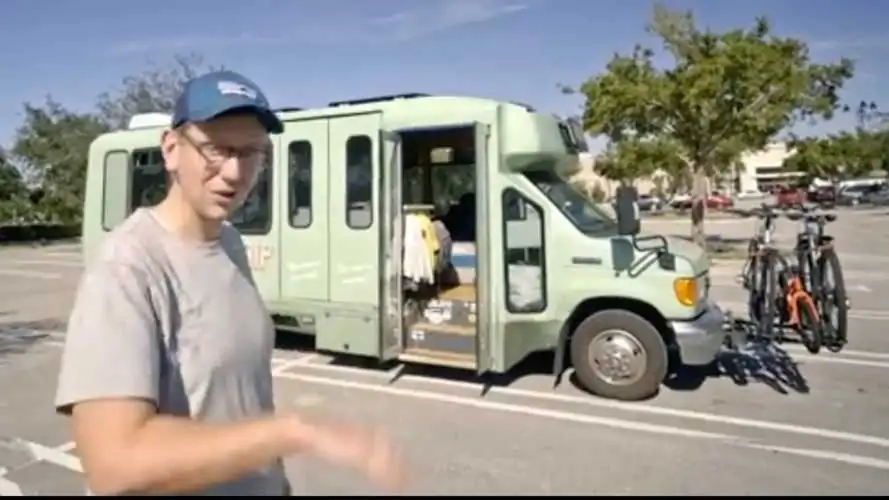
x,y
53,143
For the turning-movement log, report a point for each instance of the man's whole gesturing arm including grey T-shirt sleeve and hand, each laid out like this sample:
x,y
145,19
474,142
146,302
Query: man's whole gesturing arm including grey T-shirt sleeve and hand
x,y
109,384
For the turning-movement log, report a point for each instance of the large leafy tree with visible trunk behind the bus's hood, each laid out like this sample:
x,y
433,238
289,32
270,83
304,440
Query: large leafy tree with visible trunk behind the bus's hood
x,y
725,92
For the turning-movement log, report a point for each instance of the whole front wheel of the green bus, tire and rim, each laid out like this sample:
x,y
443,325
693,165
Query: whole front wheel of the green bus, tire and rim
x,y
618,354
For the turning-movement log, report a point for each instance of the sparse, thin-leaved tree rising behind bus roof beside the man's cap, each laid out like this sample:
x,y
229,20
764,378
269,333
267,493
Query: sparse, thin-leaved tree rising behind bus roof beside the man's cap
x,y
152,91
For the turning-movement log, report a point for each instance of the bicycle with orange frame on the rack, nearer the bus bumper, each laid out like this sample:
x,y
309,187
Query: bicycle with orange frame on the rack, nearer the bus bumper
x,y
776,296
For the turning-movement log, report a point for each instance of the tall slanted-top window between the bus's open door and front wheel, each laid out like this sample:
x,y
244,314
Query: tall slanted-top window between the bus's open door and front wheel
x,y
523,251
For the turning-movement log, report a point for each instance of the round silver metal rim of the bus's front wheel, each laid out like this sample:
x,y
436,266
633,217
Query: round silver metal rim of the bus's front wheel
x,y
618,357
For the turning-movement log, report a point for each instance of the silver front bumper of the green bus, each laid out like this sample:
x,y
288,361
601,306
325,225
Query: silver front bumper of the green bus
x,y
701,339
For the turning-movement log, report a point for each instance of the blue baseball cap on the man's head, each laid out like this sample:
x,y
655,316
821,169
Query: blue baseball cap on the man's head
x,y
221,92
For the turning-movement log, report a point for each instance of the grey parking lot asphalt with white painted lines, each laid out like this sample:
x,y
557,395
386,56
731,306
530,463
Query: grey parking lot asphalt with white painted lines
x,y
808,425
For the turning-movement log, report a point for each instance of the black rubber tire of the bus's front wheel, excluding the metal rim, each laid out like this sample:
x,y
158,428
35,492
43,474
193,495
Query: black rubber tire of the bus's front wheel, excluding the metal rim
x,y
644,334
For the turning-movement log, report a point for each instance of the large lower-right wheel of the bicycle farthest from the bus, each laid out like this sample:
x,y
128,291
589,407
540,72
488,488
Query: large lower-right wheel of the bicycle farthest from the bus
x,y
830,271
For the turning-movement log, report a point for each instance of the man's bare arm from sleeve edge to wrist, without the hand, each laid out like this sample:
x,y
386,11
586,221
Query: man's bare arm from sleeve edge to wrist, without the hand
x,y
126,447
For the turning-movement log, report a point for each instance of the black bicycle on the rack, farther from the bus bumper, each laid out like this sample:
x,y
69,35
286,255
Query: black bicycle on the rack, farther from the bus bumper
x,y
822,275
